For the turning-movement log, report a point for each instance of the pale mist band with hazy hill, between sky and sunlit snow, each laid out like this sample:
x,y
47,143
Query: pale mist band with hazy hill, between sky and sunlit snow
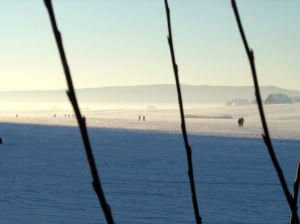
x,y
135,97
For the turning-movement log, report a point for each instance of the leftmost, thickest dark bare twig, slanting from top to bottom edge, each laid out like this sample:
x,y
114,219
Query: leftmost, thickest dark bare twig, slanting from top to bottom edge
x,y
81,120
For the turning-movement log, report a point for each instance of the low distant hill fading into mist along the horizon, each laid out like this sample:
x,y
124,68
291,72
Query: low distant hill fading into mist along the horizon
x,y
147,94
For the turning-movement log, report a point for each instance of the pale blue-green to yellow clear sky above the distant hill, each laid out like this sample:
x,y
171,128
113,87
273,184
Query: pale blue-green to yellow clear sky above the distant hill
x,y
124,42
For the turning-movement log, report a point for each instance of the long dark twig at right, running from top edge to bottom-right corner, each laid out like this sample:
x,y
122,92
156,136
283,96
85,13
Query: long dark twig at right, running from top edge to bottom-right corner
x,y
266,135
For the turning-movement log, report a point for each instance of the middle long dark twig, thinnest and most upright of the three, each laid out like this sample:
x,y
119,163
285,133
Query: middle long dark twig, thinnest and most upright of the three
x,y
188,148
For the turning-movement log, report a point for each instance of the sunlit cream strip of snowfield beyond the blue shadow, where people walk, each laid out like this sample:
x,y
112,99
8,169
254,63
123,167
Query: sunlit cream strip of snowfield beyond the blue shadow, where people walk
x,y
283,120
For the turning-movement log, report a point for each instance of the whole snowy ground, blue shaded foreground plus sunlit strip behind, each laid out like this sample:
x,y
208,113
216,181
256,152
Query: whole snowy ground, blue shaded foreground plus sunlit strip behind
x,y
142,166
